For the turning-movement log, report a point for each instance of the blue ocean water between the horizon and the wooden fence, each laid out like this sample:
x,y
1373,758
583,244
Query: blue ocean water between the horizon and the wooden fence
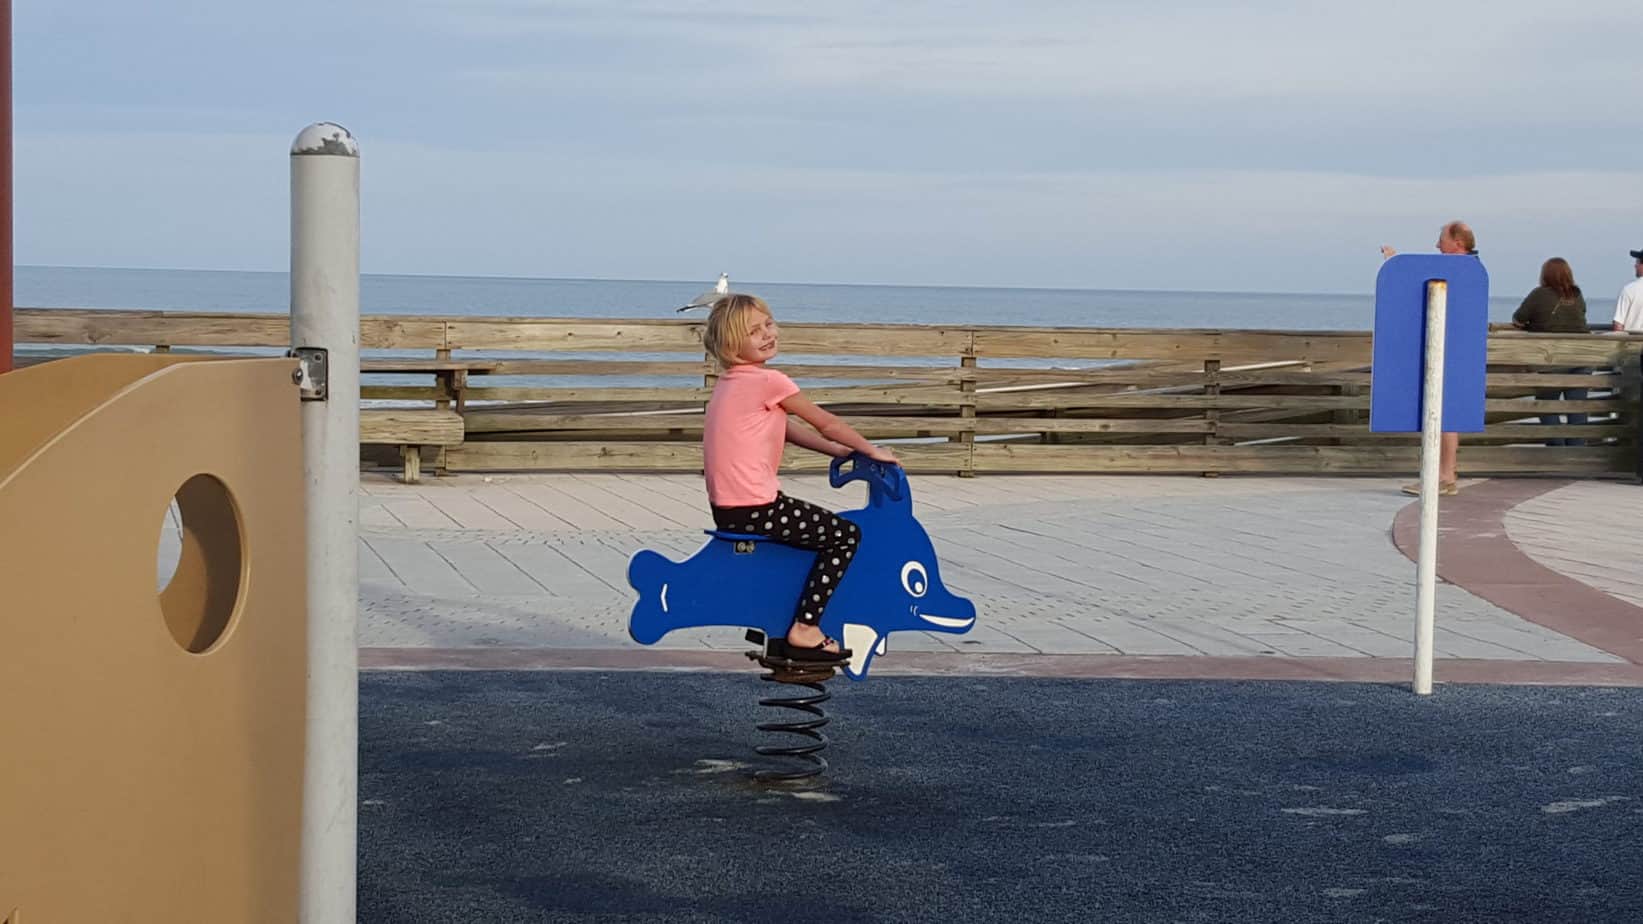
x,y
196,290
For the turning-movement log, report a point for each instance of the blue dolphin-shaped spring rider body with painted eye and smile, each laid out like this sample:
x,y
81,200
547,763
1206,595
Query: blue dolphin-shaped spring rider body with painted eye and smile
x,y
893,584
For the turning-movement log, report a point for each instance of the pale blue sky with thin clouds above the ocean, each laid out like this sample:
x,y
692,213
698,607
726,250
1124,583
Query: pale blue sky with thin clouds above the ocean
x,y
1092,144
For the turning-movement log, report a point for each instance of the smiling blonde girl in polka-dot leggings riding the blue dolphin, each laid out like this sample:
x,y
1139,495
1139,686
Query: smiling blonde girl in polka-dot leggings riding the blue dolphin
x,y
742,443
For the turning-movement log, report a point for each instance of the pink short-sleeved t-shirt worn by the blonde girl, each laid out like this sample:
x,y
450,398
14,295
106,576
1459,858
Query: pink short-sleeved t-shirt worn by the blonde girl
x,y
743,435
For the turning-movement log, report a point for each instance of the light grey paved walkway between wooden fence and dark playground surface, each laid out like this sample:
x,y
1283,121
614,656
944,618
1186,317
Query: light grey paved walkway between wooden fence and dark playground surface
x,y
1226,573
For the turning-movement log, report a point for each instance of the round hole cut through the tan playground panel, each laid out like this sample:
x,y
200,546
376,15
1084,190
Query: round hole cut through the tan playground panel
x,y
205,586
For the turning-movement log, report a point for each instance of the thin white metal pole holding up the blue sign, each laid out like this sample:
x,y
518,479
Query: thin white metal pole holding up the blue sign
x,y
1432,437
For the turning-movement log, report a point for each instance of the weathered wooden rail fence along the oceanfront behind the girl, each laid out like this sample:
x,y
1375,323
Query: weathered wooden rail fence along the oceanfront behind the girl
x,y
965,400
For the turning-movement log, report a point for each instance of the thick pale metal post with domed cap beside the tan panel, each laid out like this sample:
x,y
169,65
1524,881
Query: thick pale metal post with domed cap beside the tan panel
x,y
326,335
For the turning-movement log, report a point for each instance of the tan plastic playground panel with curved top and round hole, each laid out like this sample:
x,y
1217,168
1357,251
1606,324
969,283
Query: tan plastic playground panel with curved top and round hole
x,y
154,741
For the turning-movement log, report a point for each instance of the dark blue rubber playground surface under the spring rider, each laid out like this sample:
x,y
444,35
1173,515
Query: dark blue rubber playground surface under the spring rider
x,y
627,797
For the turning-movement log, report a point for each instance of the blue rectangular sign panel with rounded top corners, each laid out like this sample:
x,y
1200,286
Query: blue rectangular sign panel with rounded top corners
x,y
1401,343
